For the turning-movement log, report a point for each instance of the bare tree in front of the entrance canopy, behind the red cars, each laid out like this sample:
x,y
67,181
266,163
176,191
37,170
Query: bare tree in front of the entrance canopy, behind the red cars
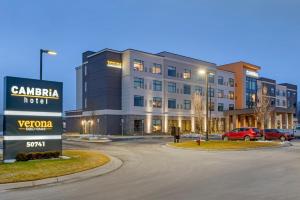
x,y
263,107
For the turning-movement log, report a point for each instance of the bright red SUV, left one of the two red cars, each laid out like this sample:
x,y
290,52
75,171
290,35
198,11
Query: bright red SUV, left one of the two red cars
x,y
246,134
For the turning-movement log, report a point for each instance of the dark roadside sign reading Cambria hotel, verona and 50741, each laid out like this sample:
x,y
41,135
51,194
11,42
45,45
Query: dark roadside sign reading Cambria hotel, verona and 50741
x,y
32,116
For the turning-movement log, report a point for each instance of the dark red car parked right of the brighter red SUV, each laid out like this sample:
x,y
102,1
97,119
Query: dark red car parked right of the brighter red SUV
x,y
275,134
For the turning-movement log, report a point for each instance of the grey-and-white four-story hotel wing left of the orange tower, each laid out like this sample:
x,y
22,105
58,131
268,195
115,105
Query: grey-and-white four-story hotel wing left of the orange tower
x,y
135,92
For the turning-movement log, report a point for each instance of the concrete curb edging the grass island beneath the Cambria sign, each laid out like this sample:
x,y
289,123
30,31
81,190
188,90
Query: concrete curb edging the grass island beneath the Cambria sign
x,y
114,164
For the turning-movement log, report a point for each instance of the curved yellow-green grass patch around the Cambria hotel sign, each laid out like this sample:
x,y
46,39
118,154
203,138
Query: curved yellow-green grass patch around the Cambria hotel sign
x,y
80,160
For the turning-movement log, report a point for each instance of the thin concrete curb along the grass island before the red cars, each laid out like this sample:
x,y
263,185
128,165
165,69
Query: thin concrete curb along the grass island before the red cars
x,y
226,150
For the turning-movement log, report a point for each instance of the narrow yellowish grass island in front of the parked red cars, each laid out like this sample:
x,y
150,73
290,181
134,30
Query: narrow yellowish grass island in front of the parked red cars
x,y
224,145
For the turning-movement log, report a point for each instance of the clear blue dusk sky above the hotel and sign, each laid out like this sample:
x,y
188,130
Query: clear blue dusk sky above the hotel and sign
x,y
264,33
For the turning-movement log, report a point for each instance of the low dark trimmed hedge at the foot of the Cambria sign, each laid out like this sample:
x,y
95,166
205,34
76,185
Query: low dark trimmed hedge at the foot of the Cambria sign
x,y
37,155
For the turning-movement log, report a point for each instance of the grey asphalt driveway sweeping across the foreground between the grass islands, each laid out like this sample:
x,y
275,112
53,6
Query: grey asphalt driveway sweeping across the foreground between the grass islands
x,y
152,171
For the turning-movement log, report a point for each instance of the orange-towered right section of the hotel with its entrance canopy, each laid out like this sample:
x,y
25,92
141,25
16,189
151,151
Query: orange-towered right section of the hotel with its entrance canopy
x,y
250,88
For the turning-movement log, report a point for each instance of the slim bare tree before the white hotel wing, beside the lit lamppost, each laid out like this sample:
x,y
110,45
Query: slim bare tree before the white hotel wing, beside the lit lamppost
x,y
197,102
